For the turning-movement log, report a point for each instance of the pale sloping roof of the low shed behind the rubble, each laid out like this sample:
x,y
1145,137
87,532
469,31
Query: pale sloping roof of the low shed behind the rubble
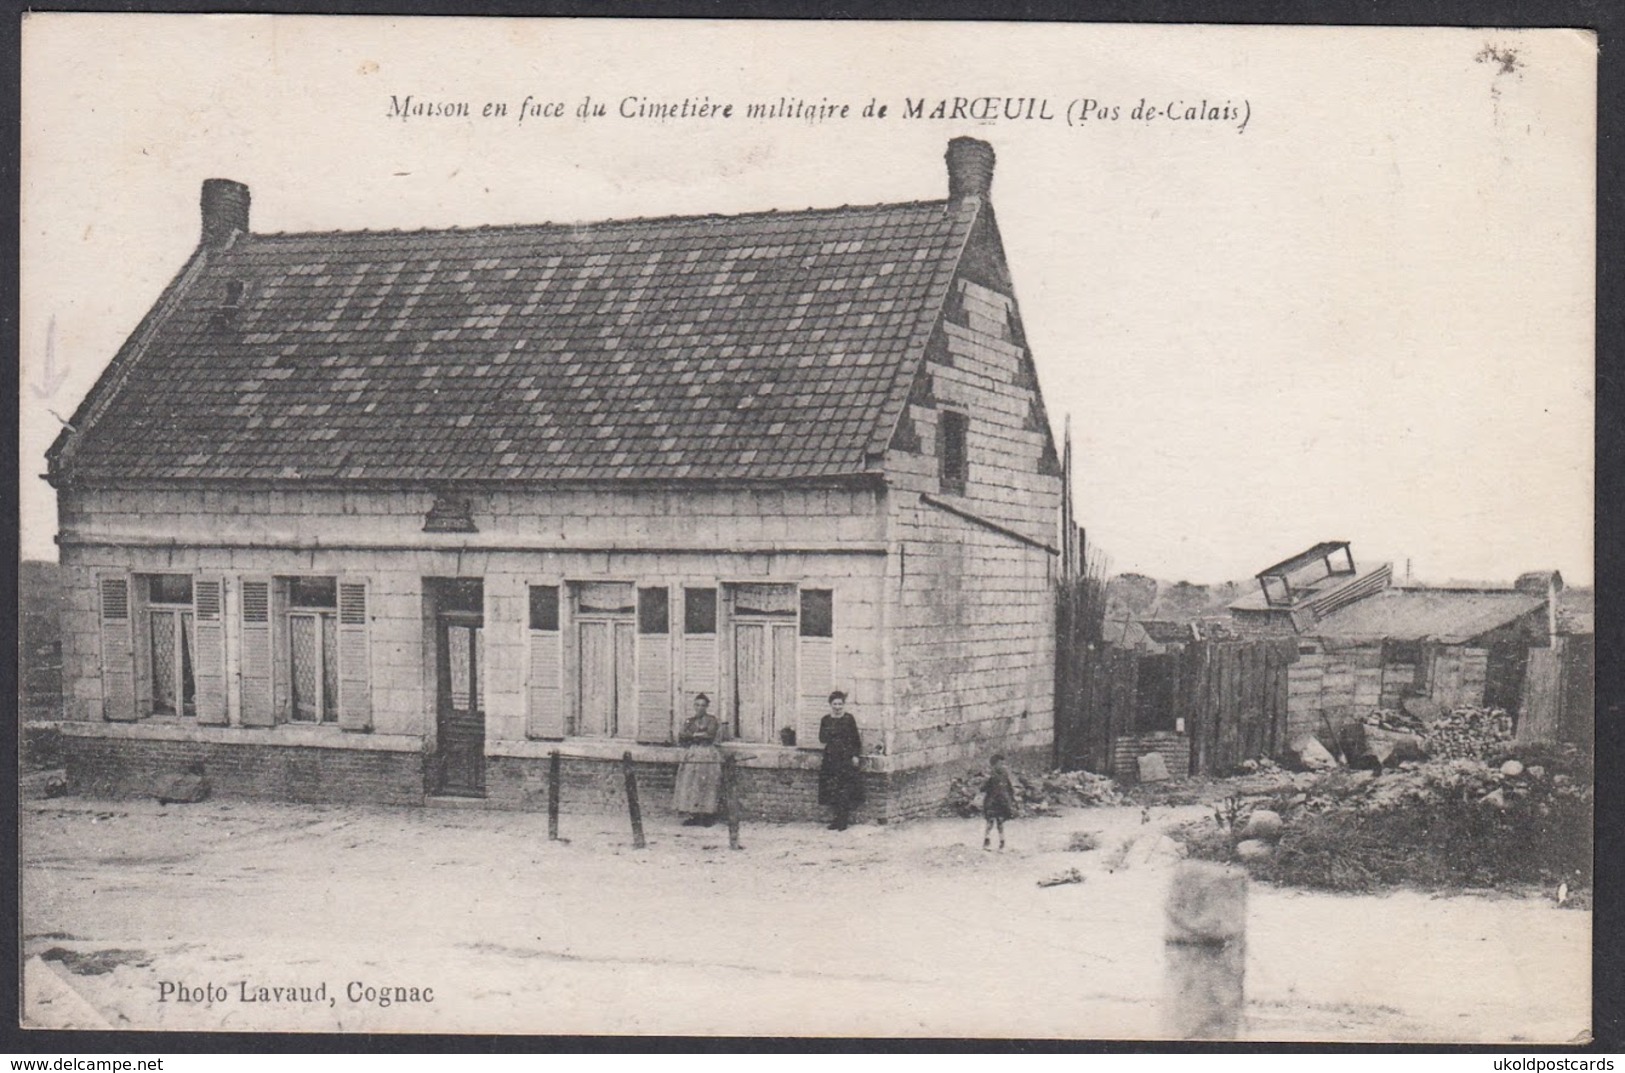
x,y
1428,615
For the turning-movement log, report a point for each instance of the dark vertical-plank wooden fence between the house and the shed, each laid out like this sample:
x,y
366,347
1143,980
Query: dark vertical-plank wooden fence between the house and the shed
x,y
1229,698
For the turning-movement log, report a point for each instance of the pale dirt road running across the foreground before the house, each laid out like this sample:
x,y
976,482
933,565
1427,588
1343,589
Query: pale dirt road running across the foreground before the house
x,y
904,931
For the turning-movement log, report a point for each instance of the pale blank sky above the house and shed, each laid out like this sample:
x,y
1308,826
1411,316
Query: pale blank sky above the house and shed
x,y
1364,315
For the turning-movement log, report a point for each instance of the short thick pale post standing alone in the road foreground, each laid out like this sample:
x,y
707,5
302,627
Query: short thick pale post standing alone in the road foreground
x,y
1207,952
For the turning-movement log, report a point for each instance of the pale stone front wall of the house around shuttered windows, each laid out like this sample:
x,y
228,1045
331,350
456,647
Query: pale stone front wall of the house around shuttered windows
x,y
817,539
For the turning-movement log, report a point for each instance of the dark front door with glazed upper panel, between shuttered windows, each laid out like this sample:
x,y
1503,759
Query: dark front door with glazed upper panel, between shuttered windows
x,y
461,674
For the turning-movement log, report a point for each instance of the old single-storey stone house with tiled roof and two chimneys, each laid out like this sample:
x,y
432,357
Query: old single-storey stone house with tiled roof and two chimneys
x,y
394,516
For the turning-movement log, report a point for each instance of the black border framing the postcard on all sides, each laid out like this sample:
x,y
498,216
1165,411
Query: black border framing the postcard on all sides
x,y
1608,937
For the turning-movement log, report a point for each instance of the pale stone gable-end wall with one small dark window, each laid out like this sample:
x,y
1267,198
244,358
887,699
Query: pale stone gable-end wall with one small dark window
x,y
973,635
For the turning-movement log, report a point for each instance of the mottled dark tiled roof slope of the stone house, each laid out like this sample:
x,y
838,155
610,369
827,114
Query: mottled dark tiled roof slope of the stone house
x,y
765,347
